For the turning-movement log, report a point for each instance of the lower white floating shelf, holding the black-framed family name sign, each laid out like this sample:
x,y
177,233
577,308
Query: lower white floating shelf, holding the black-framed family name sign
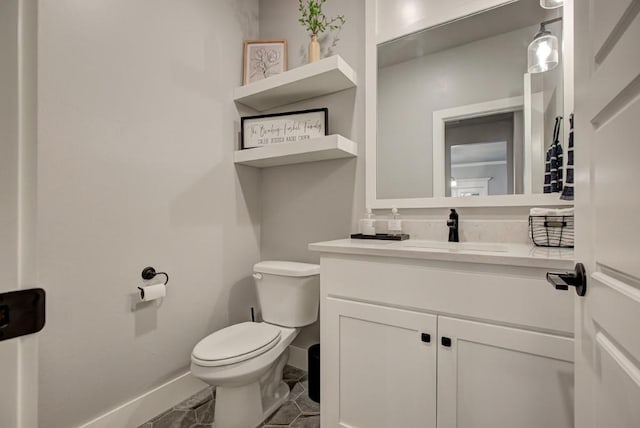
x,y
317,149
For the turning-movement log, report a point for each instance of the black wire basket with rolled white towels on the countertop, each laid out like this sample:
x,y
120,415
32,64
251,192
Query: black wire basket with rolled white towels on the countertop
x,y
552,230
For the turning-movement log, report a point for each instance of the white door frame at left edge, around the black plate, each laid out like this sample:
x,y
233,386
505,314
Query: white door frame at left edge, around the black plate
x,y
18,356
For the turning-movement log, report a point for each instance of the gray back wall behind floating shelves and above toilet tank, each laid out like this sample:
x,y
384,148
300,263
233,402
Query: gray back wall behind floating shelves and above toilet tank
x,y
315,201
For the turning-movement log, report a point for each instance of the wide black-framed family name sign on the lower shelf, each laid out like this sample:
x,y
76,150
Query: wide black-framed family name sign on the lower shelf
x,y
287,127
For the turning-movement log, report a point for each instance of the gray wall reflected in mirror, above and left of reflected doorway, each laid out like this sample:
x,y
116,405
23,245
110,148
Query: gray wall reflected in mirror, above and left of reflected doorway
x,y
409,92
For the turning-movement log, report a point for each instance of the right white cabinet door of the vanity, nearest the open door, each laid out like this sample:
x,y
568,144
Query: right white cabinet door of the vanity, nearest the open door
x,y
495,377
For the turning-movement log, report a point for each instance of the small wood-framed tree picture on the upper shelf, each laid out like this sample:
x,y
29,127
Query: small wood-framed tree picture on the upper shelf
x,y
263,59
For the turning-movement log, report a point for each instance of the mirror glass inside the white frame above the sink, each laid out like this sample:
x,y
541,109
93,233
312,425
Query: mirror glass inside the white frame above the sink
x,y
457,112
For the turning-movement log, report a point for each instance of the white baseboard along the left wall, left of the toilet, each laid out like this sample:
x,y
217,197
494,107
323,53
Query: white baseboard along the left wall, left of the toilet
x,y
139,410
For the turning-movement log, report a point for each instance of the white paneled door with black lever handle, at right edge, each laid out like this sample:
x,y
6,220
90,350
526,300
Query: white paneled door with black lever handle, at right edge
x,y
607,119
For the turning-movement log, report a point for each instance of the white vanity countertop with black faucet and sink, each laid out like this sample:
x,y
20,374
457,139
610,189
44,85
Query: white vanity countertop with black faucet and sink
x,y
467,252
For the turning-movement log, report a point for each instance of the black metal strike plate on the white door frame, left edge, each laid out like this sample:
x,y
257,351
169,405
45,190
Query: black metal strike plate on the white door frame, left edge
x,y
22,312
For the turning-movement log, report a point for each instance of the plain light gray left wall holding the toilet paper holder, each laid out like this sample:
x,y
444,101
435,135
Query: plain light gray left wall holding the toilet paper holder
x,y
136,143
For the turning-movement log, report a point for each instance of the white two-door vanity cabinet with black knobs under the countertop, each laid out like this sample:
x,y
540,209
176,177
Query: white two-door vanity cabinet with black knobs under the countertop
x,y
410,342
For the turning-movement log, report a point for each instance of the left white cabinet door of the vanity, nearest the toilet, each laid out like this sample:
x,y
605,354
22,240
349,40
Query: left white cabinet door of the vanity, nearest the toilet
x,y
378,366
